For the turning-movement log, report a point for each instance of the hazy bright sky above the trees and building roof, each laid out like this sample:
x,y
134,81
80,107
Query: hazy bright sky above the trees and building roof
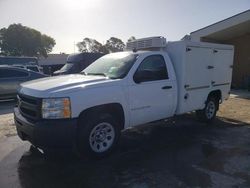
x,y
70,21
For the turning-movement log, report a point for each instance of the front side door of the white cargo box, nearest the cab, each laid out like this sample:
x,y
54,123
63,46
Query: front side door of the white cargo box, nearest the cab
x,y
198,76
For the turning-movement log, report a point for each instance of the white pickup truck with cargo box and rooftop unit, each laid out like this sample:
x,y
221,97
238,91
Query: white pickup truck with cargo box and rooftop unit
x,y
152,80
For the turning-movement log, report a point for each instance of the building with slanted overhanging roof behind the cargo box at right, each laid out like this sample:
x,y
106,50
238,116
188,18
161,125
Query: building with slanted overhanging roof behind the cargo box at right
x,y
236,31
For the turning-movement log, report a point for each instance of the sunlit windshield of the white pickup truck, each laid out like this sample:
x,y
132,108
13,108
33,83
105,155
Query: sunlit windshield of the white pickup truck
x,y
114,66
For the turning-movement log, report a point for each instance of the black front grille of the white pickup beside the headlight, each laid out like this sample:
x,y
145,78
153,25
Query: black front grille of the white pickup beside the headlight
x,y
29,107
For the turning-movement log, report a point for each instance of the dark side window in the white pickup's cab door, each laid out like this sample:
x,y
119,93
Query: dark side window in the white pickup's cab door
x,y
152,68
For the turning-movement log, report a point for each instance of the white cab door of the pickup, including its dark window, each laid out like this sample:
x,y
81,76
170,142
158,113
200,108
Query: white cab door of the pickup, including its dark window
x,y
151,93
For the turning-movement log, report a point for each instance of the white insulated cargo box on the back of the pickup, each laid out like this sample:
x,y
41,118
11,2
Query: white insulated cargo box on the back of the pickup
x,y
200,68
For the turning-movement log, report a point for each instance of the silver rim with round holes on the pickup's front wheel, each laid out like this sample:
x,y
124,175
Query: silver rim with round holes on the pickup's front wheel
x,y
101,137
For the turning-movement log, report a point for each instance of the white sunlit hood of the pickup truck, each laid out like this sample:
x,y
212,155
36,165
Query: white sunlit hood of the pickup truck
x,y
47,87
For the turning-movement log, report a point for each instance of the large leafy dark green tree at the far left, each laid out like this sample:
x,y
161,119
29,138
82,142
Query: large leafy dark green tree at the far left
x,y
19,40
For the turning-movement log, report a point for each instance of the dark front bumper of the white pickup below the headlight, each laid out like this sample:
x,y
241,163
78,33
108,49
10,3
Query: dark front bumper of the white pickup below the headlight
x,y
47,134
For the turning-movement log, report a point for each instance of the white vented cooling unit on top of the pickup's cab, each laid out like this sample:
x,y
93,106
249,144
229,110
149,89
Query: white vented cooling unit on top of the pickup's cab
x,y
147,43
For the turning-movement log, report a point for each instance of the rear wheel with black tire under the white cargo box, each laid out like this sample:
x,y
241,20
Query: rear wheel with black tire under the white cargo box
x,y
208,114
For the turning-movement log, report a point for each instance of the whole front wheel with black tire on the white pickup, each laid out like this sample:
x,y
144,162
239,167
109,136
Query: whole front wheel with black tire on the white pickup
x,y
90,128
